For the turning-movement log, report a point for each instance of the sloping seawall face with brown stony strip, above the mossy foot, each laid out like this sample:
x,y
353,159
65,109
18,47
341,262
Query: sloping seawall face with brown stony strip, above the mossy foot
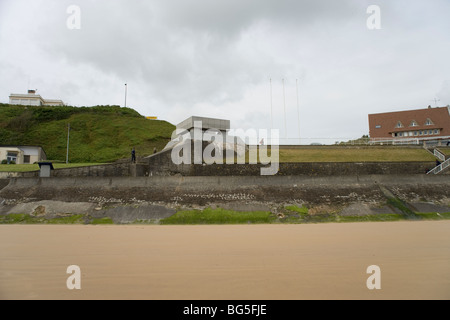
x,y
203,190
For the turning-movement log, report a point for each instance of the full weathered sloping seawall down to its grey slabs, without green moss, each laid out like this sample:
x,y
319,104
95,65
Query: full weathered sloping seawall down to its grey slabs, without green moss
x,y
128,199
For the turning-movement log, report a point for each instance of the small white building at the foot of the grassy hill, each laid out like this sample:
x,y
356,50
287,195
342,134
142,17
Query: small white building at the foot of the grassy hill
x,y
22,154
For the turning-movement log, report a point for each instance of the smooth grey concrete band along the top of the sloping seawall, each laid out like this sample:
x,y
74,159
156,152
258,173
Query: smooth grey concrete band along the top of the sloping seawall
x,y
208,182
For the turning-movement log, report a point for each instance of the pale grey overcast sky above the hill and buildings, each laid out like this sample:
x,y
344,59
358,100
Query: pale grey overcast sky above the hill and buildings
x,y
215,58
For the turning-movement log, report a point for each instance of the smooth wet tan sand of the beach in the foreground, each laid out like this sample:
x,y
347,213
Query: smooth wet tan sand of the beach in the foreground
x,y
320,261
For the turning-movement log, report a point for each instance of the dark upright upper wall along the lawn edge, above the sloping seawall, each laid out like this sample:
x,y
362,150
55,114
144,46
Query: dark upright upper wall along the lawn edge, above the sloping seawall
x,y
167,168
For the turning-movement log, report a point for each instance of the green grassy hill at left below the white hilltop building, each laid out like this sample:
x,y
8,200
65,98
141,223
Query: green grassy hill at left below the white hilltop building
x,y
98,134
